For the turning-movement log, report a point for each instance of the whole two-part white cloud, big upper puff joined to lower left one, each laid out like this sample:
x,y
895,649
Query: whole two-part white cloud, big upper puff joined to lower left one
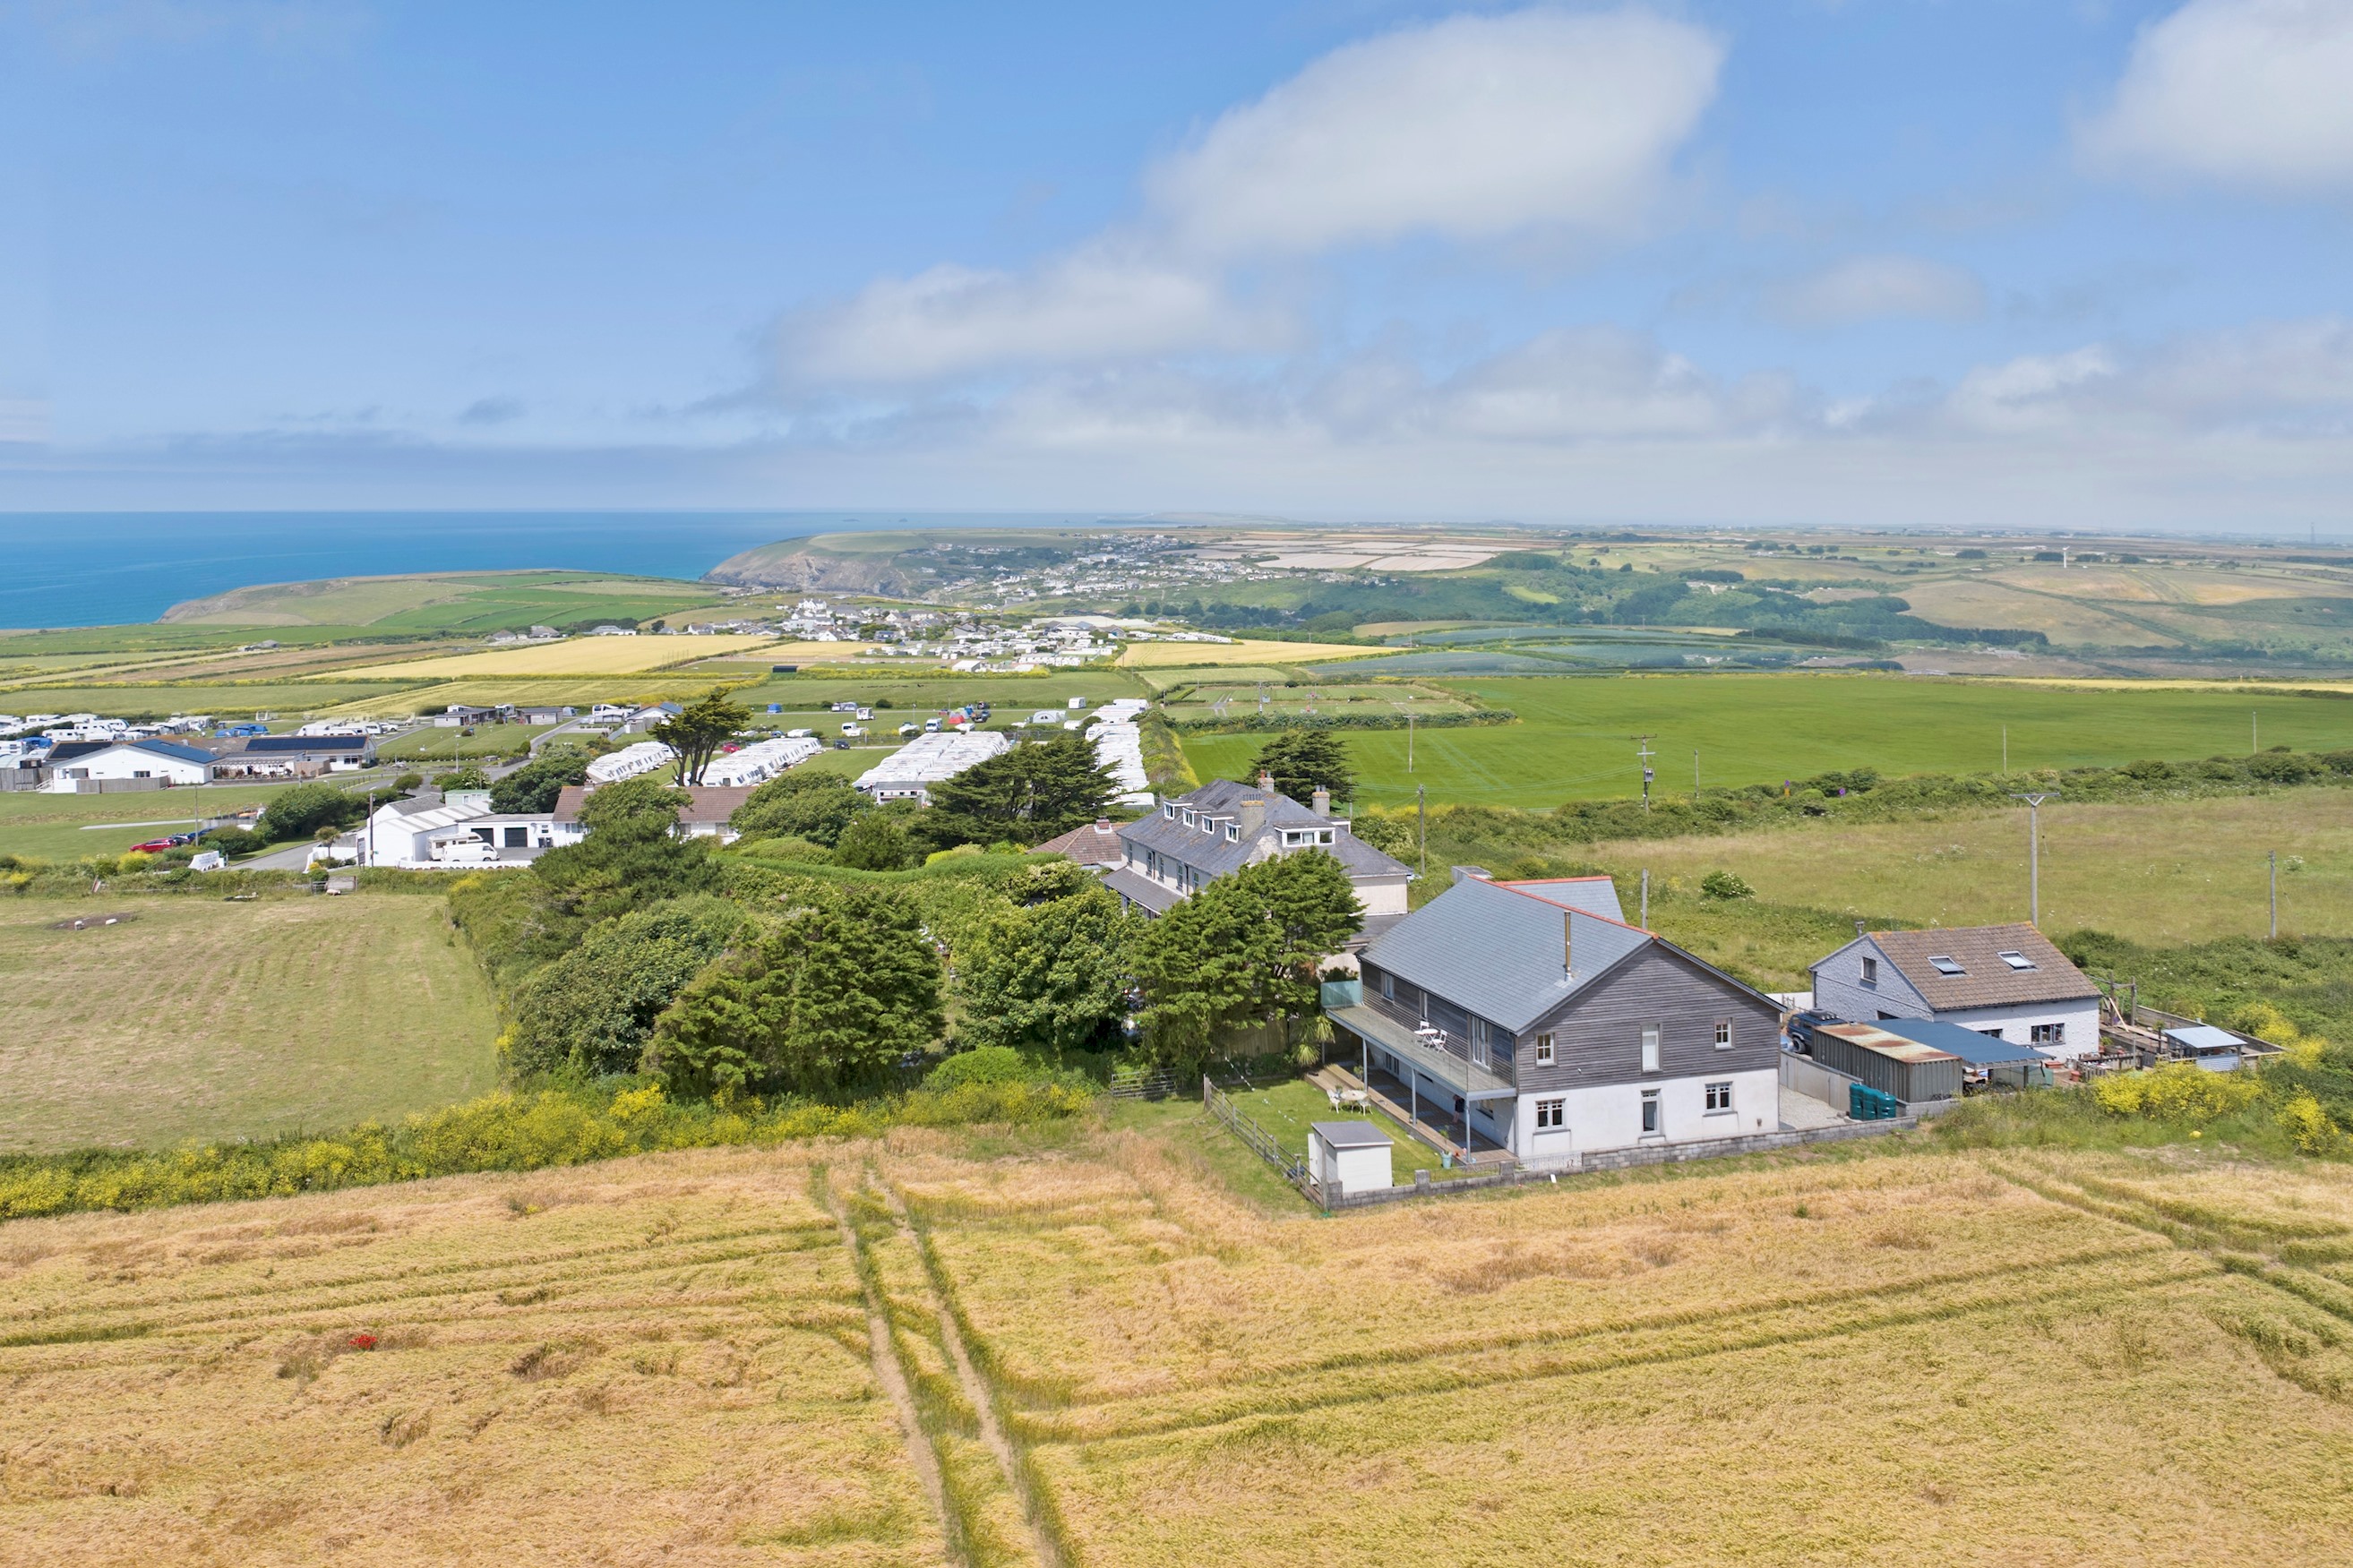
x,y
1469,130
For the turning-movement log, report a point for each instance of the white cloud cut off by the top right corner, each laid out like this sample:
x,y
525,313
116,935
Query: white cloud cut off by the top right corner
x,y
2253,93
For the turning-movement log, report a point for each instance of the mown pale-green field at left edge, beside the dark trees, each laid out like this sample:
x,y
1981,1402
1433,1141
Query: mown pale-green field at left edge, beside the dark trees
x,y
208,1019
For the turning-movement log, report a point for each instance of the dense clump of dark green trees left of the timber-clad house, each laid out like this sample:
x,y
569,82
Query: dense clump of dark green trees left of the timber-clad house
x,y
839,944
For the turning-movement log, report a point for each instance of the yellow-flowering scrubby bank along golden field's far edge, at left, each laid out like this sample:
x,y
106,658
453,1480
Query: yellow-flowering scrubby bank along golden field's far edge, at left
x,y
502,1132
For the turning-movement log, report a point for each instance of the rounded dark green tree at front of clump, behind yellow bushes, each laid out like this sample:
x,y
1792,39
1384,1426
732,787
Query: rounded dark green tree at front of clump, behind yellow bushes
x,y
825,1000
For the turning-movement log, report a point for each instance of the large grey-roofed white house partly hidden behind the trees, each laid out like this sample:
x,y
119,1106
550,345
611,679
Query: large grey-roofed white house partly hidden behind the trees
x,y
1225,826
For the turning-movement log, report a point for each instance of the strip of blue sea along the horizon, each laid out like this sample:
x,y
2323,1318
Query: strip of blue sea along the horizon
x,y
67,570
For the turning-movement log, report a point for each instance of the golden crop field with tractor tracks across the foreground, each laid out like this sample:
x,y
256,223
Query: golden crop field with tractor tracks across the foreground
x,y
938,1353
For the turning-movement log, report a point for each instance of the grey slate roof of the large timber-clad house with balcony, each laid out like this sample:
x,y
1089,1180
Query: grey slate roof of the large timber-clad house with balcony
x,y
1495,949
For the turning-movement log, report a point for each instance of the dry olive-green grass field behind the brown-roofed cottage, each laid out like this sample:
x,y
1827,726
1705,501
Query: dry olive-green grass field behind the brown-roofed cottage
x,y
2157,873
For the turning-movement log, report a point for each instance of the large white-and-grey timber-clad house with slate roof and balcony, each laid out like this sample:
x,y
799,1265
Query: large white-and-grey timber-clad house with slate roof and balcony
x,y
1528,1017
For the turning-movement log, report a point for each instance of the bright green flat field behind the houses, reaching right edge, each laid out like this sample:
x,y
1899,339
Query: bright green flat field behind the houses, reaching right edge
x,y
1578,737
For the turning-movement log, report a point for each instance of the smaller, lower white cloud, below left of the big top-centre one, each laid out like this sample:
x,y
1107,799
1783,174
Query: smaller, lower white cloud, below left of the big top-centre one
x,y
956,321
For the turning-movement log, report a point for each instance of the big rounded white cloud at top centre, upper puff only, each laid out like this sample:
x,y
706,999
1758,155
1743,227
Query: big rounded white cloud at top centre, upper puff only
x,y
1472,128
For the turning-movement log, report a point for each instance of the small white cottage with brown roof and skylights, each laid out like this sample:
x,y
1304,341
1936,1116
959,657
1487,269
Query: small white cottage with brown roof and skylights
x,y
2004,981
